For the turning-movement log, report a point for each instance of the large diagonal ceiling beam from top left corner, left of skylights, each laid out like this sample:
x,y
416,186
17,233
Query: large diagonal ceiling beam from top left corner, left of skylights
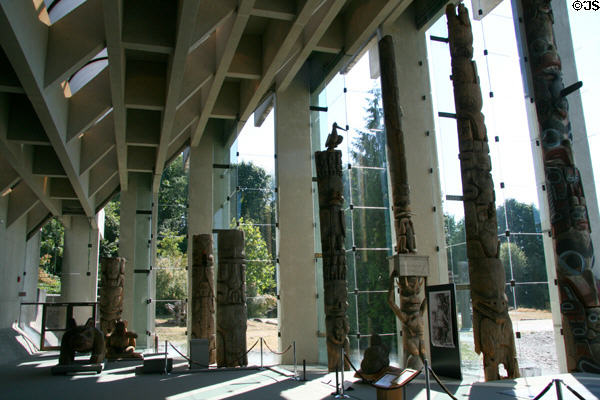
x,y
24,37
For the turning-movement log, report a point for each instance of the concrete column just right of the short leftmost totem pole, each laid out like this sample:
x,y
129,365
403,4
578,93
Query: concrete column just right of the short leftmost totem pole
x,y
135,244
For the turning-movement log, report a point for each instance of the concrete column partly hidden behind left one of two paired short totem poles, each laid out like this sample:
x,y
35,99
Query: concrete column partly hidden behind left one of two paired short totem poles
x,y
200,204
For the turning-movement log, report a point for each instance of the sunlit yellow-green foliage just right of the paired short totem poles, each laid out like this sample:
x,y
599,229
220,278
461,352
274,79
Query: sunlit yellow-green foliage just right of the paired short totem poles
x,y
260,270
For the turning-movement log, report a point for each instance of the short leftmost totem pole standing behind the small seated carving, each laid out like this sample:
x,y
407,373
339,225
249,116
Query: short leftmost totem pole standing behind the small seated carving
x,y
111,292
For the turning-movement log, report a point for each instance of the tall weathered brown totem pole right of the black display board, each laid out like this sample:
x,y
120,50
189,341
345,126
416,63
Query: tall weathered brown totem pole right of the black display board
x,y
492,328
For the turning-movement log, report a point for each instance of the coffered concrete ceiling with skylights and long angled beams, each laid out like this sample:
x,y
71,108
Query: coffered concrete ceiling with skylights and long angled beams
x,y
91,90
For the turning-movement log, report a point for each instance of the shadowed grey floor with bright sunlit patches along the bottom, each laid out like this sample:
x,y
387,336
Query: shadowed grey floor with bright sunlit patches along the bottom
x,y
28,376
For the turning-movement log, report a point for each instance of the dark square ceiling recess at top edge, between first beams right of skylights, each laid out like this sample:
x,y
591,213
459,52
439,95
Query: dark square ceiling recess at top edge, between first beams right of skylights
x,y
149,25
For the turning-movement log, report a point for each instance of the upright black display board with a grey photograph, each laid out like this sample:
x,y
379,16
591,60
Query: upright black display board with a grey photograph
x,y
443,330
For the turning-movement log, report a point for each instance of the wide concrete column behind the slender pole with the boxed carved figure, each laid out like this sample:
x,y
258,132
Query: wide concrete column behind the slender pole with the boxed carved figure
x,y
410,49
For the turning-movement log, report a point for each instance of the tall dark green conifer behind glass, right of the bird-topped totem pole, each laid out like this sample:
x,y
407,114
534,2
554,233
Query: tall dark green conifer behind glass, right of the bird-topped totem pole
x,y
369,187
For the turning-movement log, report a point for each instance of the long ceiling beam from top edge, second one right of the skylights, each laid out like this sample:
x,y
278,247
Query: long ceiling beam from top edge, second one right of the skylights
x,y
186,23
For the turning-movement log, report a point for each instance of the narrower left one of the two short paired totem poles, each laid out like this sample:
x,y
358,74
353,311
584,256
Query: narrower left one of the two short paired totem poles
x,y
203,294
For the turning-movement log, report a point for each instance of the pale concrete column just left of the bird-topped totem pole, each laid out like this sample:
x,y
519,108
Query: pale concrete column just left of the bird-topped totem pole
x,y
297,275
